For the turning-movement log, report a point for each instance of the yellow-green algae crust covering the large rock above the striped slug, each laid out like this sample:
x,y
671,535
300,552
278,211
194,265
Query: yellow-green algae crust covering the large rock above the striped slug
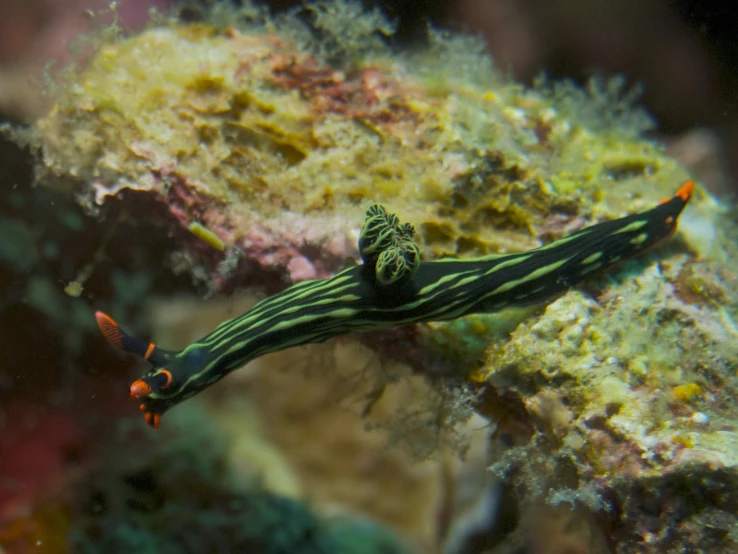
x,y
249,116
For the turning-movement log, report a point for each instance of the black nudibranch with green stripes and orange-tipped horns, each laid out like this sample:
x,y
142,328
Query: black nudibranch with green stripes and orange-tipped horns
x,y
391,287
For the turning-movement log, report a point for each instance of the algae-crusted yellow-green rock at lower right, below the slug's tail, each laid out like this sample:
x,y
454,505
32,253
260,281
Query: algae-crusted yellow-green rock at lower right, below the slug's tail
x,y
632,396
